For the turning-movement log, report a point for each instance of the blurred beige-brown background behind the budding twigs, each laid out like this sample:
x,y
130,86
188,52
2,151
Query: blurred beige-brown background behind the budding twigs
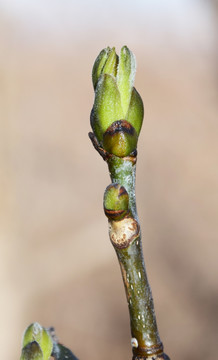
x,y
57,266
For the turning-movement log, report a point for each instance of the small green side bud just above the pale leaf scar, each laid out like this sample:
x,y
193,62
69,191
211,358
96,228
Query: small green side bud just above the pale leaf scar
x,y
116,202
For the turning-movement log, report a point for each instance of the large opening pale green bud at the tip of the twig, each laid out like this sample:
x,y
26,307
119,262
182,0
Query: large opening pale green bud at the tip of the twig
x,y
115,97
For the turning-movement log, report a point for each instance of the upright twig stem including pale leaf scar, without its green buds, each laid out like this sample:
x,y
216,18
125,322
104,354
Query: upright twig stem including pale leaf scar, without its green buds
x,y
125,236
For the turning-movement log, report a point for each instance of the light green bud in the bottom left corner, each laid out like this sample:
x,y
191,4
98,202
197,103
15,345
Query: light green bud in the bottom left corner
x,y
36,333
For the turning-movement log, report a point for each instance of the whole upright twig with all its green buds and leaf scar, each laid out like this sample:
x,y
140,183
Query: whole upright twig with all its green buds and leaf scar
x,y
116,141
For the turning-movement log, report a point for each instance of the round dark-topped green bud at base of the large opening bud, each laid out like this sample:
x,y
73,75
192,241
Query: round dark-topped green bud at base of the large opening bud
x,y
120,138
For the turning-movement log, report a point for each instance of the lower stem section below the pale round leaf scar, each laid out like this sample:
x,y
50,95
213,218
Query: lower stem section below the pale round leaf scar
x,y
140,302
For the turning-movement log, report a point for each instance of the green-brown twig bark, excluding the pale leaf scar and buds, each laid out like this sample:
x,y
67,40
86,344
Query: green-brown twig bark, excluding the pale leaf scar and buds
x,y
138,292
